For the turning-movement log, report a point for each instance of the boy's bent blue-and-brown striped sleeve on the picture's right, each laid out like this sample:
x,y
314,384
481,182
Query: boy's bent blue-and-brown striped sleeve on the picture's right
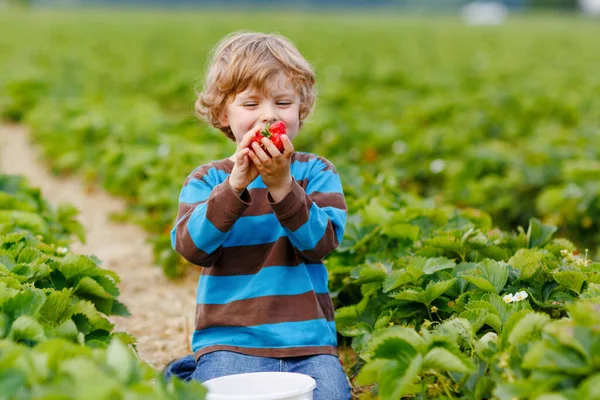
x,y
314,219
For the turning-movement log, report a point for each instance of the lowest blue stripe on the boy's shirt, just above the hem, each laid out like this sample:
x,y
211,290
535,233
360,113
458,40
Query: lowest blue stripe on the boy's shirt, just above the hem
x,y
316,332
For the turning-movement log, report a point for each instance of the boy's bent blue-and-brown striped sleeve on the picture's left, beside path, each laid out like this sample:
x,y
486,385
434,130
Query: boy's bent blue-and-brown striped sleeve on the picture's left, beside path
x,y
206,214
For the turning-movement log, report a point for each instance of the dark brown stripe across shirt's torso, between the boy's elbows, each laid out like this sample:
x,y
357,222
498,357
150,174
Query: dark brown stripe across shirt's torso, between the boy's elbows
x,y
246,260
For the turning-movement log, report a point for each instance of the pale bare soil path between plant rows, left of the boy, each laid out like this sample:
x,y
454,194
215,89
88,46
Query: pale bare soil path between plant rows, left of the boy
x,y
162,311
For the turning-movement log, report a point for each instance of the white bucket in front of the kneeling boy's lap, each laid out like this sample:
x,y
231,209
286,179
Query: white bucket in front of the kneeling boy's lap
x,y
261,386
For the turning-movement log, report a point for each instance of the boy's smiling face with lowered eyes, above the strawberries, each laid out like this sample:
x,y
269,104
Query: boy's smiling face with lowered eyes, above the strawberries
x,y
253,109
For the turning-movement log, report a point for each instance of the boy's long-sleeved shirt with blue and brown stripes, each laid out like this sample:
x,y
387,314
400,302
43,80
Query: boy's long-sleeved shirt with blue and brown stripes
x,y
265,293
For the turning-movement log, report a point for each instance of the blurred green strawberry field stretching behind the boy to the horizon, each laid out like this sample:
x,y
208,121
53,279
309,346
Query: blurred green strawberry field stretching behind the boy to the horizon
x,y
471,118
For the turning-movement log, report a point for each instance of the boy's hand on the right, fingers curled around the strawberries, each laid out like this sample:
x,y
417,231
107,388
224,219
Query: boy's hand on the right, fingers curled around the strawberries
x,y
274,170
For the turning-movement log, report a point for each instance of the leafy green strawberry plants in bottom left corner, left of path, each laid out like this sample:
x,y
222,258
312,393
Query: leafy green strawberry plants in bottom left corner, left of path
x,y
55,338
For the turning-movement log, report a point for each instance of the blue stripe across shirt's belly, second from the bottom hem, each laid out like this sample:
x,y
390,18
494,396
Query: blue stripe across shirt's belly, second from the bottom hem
x,y
269,281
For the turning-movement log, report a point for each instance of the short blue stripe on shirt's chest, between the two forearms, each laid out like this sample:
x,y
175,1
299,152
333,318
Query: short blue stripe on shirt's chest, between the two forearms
x,y
257,229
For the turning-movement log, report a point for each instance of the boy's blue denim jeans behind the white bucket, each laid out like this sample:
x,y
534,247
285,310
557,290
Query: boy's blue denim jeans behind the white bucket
x,y
326,370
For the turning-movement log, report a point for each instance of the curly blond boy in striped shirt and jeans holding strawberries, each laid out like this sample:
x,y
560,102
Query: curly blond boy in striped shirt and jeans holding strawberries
x,y
260,223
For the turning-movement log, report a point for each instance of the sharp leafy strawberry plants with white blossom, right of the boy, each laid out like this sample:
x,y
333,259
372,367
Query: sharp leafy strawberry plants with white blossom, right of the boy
x,y
444,305
